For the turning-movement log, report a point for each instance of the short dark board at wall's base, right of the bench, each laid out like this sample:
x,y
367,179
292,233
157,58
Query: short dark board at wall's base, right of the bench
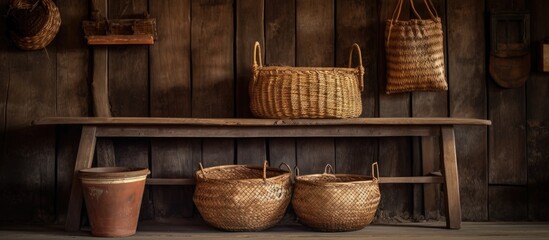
x,y
508,203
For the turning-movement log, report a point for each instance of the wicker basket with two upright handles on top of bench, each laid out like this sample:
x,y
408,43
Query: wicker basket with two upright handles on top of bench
x,y
306,92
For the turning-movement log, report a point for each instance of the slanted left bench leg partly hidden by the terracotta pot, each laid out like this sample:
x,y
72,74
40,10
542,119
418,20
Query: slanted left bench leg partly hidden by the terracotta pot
x,y
84,159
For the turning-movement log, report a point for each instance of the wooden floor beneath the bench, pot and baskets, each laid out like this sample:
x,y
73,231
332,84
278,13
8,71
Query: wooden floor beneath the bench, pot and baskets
x,y
424,231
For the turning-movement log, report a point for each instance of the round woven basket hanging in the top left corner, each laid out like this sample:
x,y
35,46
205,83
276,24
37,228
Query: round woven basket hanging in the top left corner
x,y
33,24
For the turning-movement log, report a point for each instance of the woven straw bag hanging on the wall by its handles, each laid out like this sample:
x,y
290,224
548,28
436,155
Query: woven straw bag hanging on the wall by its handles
x,y
415,52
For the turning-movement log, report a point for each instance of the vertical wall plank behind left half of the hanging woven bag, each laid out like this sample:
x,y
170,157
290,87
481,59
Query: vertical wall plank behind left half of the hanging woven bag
x,y
394,153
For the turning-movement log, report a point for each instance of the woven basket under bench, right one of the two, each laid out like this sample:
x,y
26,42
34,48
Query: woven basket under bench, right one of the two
x,y
336,202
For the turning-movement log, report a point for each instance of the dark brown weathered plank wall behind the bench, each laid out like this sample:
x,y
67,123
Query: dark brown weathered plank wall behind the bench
x,y
200,67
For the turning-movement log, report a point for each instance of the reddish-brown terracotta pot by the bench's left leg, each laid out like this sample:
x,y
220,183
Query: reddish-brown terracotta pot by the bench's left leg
x,y
113,198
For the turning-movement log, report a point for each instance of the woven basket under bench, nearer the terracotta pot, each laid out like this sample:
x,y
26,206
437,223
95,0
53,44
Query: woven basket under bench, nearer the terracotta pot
x,y
242,198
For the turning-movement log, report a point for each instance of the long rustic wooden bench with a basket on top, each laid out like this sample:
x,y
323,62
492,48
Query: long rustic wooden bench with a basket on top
x,y
94,127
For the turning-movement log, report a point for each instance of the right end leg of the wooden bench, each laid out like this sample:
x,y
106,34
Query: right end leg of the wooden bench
x,y
451,183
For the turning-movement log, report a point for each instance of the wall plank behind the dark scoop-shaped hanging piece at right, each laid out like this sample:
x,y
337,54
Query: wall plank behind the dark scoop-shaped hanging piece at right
x,y
507,110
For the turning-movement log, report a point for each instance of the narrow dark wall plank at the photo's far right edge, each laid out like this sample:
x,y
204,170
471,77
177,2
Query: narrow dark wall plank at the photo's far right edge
x,y
538,123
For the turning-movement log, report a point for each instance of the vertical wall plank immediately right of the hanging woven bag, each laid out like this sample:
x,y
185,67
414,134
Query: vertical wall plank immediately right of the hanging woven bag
x,y
467,94
